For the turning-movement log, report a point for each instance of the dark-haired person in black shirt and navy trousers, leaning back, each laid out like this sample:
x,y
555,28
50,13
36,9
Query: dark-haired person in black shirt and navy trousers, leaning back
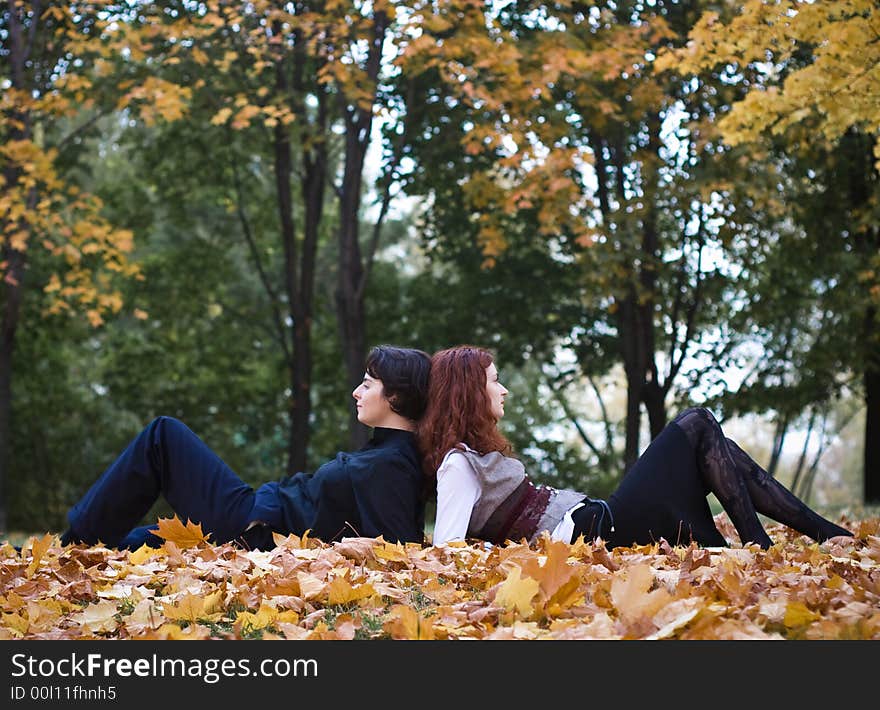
x,y
377,490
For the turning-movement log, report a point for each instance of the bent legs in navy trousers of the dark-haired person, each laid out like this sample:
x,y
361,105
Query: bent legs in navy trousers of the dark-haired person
x,y
166,459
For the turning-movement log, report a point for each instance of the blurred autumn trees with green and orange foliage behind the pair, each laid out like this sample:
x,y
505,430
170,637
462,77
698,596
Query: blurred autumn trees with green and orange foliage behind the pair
x,y
212,210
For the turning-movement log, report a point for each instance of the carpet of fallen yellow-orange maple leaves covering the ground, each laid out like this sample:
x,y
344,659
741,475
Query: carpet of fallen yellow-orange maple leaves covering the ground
x,y
363,588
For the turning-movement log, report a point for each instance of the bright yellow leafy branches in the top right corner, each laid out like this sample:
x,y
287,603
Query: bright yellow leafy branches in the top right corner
x,y
836,89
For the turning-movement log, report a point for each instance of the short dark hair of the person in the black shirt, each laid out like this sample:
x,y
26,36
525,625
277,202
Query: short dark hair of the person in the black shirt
x,y
404,373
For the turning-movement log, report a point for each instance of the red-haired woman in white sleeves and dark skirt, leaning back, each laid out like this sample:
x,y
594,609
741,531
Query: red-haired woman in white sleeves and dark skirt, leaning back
x,y
484,493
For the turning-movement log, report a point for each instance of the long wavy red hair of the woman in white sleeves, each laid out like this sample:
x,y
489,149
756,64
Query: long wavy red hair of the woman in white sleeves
x,y
459,410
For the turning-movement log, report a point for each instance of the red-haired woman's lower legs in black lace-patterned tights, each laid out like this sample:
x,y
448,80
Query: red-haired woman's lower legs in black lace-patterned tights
x,y
745,489
